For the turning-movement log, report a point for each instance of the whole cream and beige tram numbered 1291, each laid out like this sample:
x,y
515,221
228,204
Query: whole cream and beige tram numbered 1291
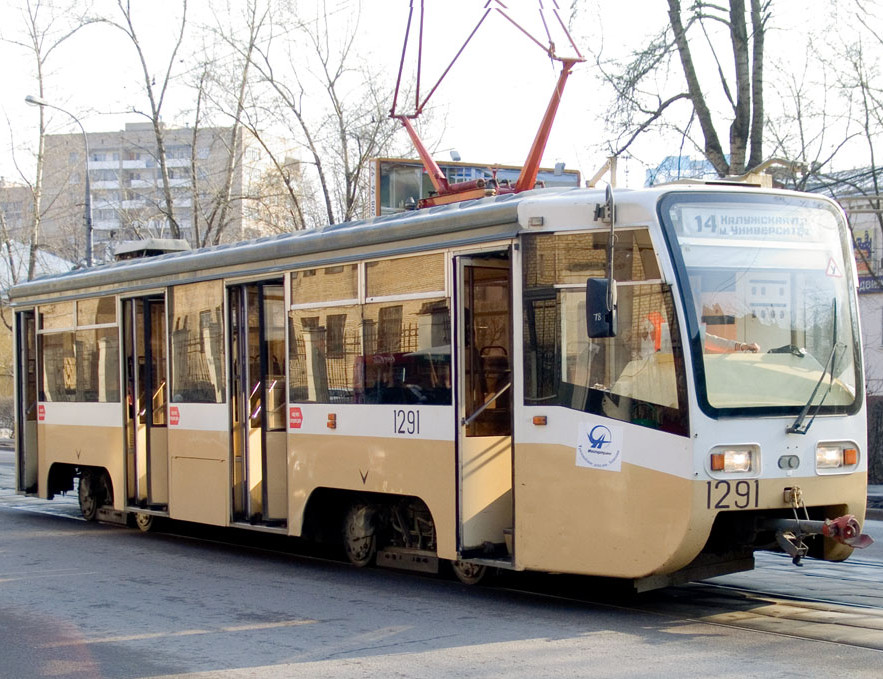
x,y
648,386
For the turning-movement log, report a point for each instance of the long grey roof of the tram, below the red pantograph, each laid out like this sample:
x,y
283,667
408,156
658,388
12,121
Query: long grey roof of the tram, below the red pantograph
x,y
469,222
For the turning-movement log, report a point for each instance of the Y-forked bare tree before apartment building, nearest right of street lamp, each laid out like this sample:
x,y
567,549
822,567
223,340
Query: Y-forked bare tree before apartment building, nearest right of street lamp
x,y
155,94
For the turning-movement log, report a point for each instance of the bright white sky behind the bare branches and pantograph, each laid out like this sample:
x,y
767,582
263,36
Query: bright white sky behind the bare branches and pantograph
x,y
491,101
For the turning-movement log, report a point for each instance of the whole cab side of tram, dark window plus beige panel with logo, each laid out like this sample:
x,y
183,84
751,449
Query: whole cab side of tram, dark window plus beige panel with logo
x,y
603,458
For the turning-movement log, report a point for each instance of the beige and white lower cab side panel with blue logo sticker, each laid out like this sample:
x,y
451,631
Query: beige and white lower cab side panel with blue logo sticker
x,y
624,508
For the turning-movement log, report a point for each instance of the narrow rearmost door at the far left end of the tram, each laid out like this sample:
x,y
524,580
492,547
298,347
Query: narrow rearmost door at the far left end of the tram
x,y
26,403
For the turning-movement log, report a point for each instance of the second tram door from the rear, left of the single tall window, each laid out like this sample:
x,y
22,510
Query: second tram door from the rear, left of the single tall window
x,y
147,449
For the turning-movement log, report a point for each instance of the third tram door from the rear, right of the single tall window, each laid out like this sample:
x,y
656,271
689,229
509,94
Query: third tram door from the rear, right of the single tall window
x,y
257,355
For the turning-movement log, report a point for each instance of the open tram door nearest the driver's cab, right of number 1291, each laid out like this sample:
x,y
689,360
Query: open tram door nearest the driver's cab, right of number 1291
x,y
484,410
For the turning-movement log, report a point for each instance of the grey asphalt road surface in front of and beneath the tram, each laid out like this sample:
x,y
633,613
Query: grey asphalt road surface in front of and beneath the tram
x,y
81,599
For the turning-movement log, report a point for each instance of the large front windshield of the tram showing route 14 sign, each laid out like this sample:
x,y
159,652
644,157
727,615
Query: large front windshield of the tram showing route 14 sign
x,y
769,298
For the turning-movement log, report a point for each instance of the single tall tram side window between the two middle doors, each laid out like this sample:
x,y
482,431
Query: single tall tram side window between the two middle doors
x,y
197,340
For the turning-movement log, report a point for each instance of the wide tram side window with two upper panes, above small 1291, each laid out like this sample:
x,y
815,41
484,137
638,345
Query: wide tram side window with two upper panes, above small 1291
x,y
395,349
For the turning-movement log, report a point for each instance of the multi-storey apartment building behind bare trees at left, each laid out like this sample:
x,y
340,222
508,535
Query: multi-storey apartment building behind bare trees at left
x,y
128,200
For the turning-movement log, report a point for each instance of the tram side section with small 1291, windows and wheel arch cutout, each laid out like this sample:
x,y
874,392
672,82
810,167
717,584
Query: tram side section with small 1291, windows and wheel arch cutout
x,y
370,395
